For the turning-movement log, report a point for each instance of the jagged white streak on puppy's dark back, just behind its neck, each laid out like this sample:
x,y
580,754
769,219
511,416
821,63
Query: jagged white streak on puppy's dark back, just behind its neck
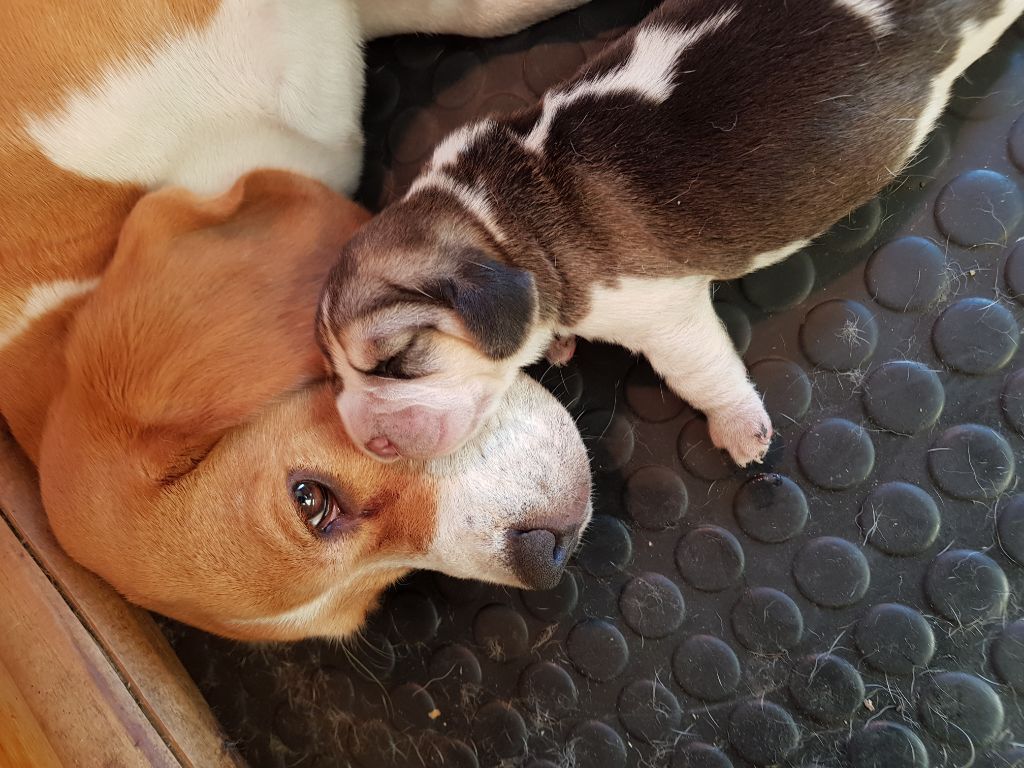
x,y
649,73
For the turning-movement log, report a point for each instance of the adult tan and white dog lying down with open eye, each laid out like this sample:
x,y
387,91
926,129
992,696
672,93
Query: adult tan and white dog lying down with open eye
x,y
157,304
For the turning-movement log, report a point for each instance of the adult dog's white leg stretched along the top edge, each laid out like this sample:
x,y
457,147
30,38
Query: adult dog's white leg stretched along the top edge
x,y
472,18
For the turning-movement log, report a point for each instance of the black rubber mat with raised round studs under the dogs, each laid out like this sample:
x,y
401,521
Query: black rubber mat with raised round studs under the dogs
x,y
859,604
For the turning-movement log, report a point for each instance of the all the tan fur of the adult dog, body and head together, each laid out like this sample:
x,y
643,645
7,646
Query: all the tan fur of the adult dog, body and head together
x,y
109,461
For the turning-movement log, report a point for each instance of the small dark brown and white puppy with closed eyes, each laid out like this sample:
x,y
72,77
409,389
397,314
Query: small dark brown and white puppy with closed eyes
x,y
715,139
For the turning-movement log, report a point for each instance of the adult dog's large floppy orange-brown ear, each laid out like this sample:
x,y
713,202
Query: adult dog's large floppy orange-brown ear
x,y
205,314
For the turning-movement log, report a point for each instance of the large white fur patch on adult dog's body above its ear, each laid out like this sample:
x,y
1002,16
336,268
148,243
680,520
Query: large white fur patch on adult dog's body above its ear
x,y
266,84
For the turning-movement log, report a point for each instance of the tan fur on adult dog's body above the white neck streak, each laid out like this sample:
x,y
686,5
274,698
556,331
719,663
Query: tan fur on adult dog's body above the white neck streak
x,y
39,69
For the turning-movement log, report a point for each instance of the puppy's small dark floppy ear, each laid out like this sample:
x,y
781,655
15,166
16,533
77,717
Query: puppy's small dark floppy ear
x,y
496,303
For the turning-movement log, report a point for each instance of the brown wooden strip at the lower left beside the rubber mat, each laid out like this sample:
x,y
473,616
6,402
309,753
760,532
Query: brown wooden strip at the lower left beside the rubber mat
x,y
94,673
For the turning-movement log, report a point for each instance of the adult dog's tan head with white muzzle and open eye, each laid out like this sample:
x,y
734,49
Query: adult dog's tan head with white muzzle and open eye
x,y
196,460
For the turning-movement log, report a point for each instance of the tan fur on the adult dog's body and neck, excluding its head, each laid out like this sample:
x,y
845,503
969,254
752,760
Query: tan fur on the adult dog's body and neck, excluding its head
x,y
56,225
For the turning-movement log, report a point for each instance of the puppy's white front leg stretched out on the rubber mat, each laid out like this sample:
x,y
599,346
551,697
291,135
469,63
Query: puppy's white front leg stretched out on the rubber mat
x,y
673,323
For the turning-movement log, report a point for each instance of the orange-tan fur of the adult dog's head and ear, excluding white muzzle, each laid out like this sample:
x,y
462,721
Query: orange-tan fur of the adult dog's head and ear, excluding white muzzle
x,y
145,456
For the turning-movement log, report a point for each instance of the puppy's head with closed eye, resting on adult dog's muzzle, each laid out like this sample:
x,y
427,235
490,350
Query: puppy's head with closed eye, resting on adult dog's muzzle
x,y
426,326
